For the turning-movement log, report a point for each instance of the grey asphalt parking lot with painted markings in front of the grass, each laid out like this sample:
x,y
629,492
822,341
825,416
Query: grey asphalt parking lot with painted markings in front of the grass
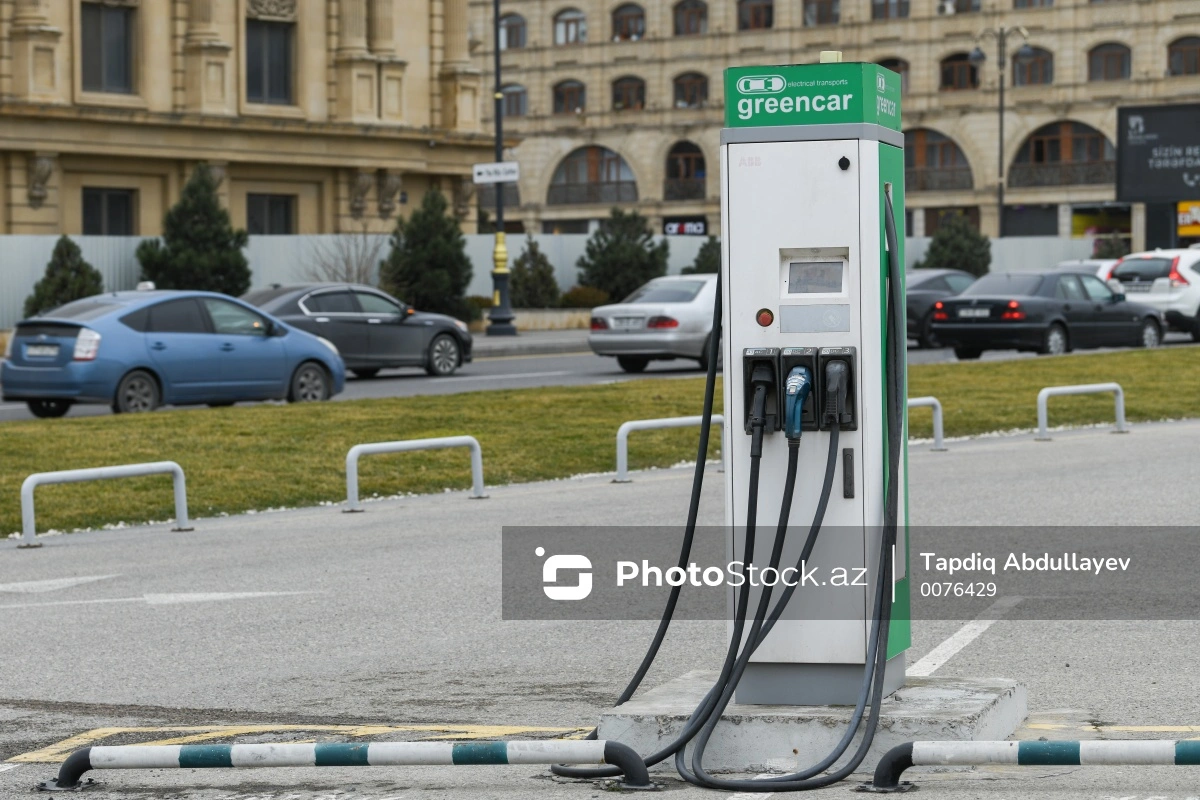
x,y
315,625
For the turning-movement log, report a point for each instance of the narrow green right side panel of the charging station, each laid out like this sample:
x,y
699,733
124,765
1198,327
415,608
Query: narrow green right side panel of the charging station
x,y
892,172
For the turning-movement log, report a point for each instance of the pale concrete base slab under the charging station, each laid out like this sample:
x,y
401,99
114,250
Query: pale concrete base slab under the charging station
x,y
790,738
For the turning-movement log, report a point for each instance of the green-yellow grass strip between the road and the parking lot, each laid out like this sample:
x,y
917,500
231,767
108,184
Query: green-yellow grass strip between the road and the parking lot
x,y
271,456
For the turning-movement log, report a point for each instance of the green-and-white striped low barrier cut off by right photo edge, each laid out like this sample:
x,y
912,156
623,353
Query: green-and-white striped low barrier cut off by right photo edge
x,y
1029,754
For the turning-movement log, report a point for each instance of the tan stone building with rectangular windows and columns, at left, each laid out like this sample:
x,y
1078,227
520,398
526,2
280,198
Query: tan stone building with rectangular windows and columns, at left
x,y
317,116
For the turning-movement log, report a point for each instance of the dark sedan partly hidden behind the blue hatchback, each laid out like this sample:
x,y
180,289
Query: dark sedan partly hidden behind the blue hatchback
x,y
371,329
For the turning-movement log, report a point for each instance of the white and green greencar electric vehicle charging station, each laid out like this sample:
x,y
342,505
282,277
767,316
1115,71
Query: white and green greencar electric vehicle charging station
x,y
809,157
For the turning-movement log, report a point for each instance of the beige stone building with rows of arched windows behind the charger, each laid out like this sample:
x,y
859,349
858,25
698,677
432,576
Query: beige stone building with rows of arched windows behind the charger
x,y
620,103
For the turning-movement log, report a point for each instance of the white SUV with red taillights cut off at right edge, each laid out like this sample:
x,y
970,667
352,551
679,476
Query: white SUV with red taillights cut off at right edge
x,y
1168,280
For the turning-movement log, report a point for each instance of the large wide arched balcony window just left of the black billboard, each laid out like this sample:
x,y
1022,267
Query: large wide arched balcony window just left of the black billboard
x,y
1064,154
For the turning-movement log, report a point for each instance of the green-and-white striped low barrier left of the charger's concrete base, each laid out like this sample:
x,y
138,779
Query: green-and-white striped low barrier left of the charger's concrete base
x,y
376,754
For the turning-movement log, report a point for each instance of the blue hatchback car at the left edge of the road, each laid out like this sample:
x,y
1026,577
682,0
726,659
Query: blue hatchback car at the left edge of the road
x,y
137,351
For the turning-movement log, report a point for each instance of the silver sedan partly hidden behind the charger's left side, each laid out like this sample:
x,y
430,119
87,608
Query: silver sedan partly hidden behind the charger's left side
x,y
668,318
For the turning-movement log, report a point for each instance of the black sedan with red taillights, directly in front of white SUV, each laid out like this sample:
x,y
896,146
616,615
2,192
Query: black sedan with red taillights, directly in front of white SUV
x,y
1046,312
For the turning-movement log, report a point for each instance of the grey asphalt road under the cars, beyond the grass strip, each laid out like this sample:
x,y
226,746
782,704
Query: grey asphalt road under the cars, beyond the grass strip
x,y
532,360
